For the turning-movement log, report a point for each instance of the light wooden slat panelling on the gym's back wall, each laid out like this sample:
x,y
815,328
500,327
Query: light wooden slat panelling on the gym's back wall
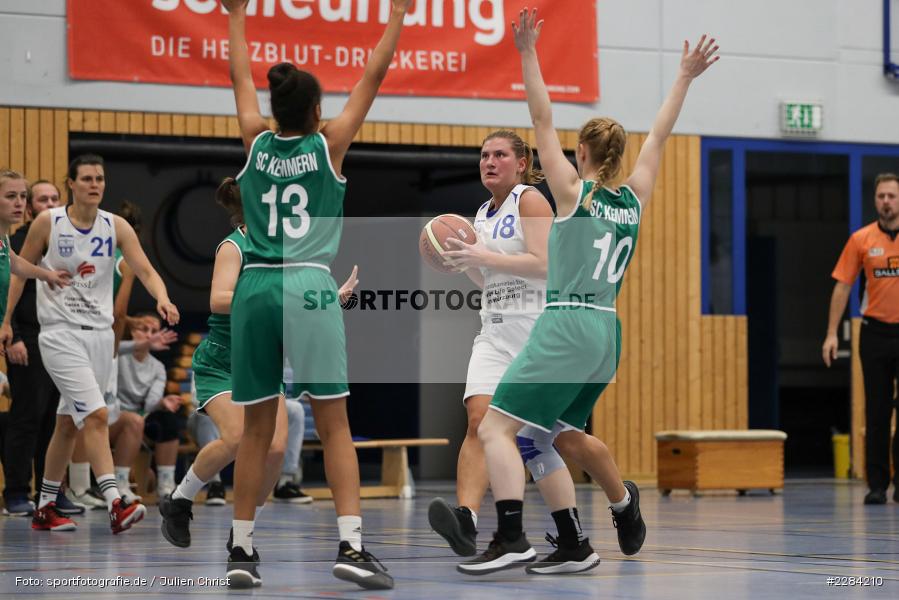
x,y
679,368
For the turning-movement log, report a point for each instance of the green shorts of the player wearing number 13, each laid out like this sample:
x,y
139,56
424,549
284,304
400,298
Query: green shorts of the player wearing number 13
x,y
290,313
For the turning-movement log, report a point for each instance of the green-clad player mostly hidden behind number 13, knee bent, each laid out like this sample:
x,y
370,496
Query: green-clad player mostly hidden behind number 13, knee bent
x,y
211,368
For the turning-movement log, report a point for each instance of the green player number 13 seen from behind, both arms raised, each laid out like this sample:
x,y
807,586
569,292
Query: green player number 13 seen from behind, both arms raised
x,y
293,194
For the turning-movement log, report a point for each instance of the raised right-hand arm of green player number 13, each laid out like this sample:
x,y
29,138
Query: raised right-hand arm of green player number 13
x,y
341,130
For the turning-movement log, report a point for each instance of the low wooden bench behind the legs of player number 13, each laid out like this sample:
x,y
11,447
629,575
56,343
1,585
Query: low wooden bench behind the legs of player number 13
x,y
396,482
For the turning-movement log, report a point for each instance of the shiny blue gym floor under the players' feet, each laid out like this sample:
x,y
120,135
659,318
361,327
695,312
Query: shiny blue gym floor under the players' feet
x,y
715,546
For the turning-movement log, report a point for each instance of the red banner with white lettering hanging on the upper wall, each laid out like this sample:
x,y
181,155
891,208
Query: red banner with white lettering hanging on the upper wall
x,y
457,48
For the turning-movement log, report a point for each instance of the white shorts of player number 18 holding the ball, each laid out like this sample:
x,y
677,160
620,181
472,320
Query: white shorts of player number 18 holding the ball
x,y
501,339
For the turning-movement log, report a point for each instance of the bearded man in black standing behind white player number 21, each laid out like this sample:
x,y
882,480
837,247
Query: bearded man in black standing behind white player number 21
x,y
32,415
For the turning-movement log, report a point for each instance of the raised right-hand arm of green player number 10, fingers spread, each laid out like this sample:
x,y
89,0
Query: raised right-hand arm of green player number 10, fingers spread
x,y
693,64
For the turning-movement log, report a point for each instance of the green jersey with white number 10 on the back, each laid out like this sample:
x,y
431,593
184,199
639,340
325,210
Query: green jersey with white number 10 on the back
x,y
589,251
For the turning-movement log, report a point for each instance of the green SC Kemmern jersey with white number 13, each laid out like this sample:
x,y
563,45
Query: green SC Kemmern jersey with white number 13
x,y
292,201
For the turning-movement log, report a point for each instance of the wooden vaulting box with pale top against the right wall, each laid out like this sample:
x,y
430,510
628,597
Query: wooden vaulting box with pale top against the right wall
x,y
726,459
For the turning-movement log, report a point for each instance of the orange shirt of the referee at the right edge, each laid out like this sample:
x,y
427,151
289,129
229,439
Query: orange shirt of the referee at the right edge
x,y
874,250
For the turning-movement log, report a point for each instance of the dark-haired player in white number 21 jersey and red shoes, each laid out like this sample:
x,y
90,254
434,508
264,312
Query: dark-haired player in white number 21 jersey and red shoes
x,y
76,338
